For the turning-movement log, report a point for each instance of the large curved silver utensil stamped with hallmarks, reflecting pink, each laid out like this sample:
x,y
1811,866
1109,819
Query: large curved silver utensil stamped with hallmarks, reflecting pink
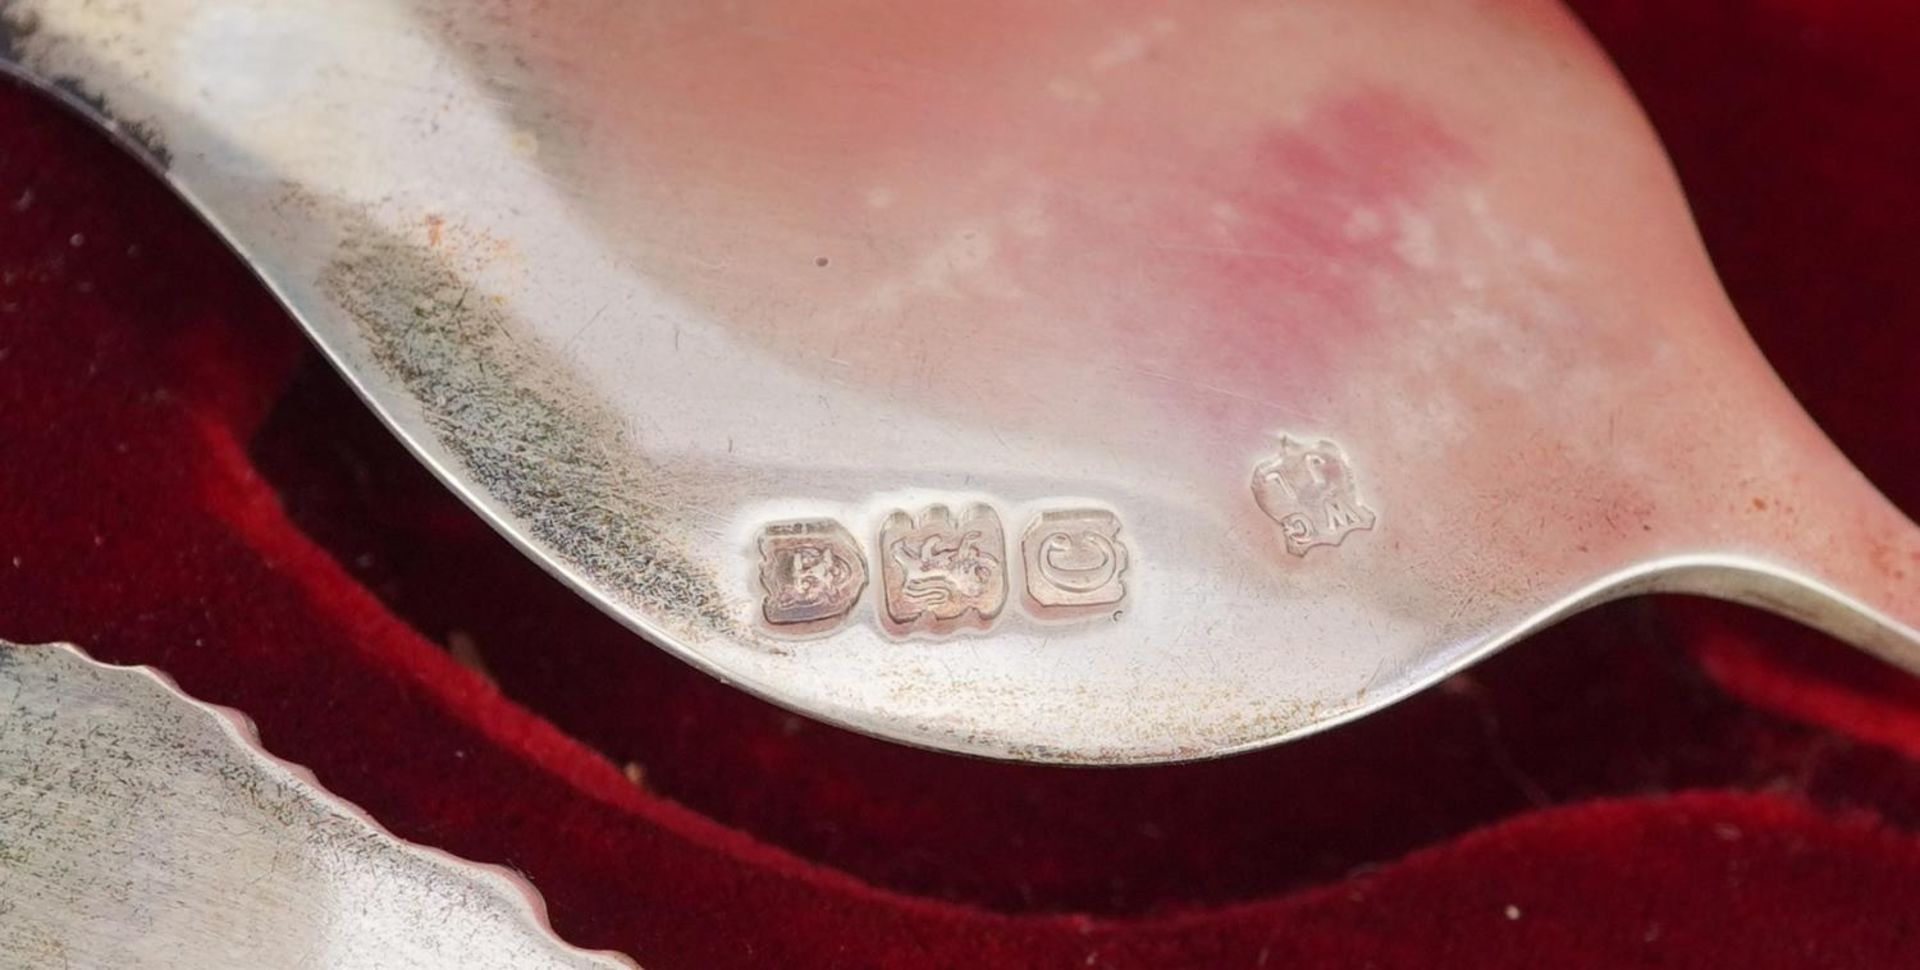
x,y
1374,333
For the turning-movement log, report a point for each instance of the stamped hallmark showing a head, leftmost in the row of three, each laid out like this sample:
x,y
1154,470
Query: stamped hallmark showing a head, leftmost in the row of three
x,y
811,571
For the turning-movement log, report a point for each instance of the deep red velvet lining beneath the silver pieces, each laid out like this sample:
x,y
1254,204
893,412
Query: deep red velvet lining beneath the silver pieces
x,y
181,485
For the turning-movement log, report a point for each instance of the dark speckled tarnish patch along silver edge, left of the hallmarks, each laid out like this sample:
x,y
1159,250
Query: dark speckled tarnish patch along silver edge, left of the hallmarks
x,y
552,456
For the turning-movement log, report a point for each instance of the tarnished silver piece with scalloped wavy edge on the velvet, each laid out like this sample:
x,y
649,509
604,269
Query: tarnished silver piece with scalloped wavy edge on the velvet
x,y
141,829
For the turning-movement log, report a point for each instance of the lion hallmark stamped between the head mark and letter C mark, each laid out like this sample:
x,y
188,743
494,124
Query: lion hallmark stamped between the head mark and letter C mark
x,y
942,568
